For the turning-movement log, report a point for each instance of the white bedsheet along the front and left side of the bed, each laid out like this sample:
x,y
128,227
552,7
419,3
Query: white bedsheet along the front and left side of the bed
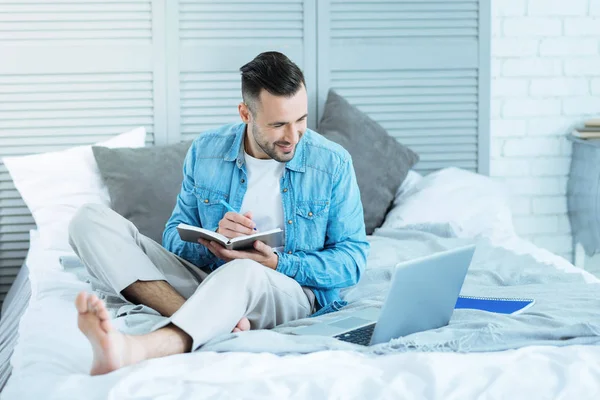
x,y
52,360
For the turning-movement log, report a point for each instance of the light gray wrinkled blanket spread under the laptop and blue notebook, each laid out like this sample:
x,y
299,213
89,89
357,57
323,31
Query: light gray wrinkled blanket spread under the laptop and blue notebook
x,y
565,313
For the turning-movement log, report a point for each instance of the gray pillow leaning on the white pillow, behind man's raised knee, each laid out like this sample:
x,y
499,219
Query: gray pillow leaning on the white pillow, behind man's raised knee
x,y
143,183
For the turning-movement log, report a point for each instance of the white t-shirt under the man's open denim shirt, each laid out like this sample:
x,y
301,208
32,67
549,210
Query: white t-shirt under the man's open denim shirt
x,y
263,195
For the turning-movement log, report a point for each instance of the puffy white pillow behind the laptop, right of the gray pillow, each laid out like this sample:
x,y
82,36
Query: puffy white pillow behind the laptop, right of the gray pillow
x,y
472,204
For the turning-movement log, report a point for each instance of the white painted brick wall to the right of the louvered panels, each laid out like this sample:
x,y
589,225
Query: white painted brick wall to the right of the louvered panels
x,y
545,79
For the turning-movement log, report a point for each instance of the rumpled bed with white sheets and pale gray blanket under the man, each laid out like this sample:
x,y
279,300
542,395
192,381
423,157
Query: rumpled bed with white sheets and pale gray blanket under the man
x,y
51,358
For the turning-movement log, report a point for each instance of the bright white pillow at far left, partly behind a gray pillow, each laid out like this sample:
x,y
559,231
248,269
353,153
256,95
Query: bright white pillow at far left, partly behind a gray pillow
x,y
55,184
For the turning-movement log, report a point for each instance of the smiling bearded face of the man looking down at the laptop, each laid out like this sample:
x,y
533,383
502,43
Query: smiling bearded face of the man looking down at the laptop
x,y
277,125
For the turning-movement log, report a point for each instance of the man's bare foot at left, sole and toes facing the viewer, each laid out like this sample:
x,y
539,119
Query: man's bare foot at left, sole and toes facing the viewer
x,y
112,349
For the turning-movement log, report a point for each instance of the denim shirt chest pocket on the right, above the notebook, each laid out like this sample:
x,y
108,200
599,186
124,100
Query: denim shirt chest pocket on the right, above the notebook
x,y
311,217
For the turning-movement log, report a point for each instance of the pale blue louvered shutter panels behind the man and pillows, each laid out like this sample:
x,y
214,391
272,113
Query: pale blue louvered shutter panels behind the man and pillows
x,y
78,72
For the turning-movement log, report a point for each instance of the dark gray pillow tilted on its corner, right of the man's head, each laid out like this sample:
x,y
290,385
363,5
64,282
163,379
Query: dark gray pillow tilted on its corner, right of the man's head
x,y
381,163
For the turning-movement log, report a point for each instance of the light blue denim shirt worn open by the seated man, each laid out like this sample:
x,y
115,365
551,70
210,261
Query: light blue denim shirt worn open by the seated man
x,y
325,240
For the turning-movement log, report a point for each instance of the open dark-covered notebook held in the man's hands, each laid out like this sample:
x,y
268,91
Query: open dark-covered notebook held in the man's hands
x,y
189,233
